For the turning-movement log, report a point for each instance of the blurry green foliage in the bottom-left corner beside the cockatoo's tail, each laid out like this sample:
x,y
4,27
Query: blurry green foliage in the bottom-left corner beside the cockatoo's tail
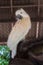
x,y
4,55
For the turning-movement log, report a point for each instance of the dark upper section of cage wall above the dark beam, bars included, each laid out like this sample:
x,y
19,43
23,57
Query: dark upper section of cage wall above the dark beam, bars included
x,y
32,6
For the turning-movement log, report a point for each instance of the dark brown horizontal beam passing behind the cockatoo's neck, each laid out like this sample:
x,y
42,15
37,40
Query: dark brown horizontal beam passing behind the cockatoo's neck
x,y
12,19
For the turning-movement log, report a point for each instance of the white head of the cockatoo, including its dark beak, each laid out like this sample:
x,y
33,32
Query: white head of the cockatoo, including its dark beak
x,y
21,14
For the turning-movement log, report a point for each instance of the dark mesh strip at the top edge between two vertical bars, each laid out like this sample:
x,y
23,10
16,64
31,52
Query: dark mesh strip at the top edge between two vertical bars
x,y
24,2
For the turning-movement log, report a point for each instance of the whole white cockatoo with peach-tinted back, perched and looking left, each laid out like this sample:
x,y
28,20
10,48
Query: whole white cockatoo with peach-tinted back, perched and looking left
x,y
19,30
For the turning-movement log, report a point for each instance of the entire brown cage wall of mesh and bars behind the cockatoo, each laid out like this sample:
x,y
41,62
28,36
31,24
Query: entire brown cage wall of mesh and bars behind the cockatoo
x,y
7,17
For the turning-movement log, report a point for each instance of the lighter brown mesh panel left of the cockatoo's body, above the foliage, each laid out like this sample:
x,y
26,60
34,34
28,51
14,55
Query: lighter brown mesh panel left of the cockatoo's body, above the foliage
x,y
5,29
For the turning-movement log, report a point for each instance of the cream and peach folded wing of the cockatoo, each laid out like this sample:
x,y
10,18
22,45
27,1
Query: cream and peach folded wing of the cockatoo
x,y
18,32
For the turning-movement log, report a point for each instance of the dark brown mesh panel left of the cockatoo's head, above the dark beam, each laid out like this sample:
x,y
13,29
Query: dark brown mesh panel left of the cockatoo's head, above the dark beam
x,y
5,13
